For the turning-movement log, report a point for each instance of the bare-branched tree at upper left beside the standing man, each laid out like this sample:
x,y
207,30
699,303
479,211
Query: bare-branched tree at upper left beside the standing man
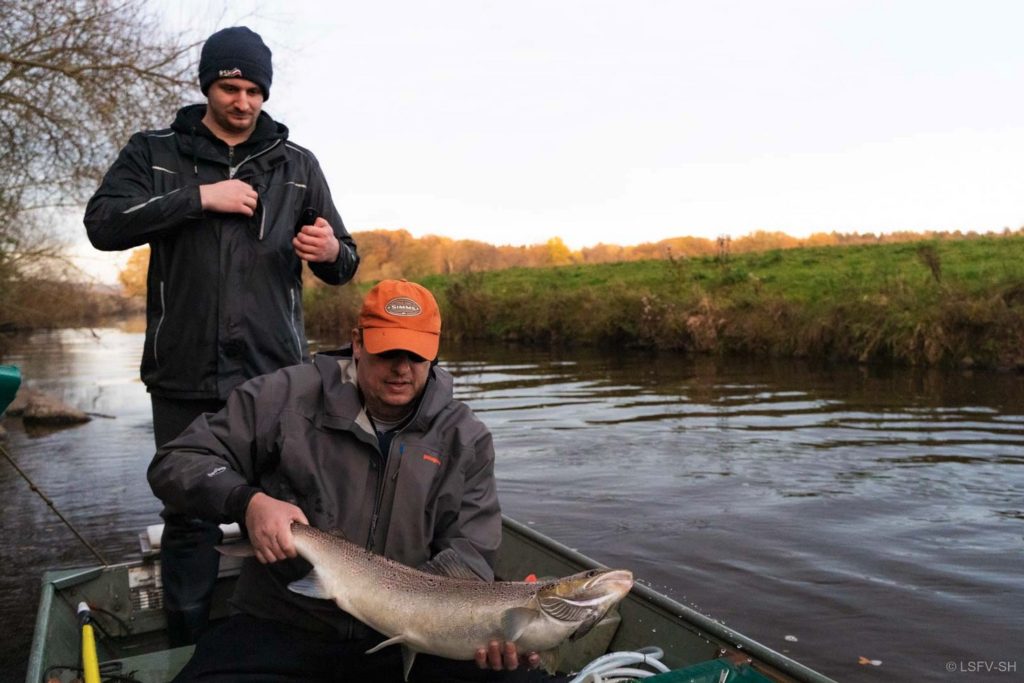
x,y
77,78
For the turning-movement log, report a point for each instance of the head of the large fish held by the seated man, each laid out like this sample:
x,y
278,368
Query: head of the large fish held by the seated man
x,y
586,597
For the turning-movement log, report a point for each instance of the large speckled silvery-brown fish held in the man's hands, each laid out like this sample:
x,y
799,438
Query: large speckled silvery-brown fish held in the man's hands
x,y
452,618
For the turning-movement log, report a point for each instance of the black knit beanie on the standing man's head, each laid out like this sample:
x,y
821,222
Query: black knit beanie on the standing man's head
x,y
236,53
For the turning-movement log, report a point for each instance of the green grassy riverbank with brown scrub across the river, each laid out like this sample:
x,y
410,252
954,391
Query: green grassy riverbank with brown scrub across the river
x,y
950,303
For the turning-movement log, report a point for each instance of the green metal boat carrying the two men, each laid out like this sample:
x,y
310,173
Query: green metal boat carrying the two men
x,y
125,604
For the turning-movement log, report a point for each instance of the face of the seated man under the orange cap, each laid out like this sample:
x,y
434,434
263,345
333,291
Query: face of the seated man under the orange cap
x,y
392,381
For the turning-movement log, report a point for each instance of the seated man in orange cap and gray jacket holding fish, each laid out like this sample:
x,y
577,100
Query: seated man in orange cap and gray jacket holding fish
x,y
368,441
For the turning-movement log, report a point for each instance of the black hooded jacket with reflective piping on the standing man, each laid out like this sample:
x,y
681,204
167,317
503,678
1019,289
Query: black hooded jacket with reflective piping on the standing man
x,y
224,291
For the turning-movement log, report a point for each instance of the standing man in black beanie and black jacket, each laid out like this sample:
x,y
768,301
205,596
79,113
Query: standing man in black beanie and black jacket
x,y
220,197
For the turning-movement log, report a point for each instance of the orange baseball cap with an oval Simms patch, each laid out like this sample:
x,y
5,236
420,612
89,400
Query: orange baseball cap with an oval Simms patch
x,y
401,315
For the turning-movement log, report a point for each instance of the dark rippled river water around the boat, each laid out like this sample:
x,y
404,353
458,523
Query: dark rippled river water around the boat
x,y
867,523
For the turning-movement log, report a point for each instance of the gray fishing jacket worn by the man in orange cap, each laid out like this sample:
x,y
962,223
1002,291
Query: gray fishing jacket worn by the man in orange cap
x,y
301,435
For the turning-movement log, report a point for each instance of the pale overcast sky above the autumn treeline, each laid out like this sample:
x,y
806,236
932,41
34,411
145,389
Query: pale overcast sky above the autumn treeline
x,y
516,121
